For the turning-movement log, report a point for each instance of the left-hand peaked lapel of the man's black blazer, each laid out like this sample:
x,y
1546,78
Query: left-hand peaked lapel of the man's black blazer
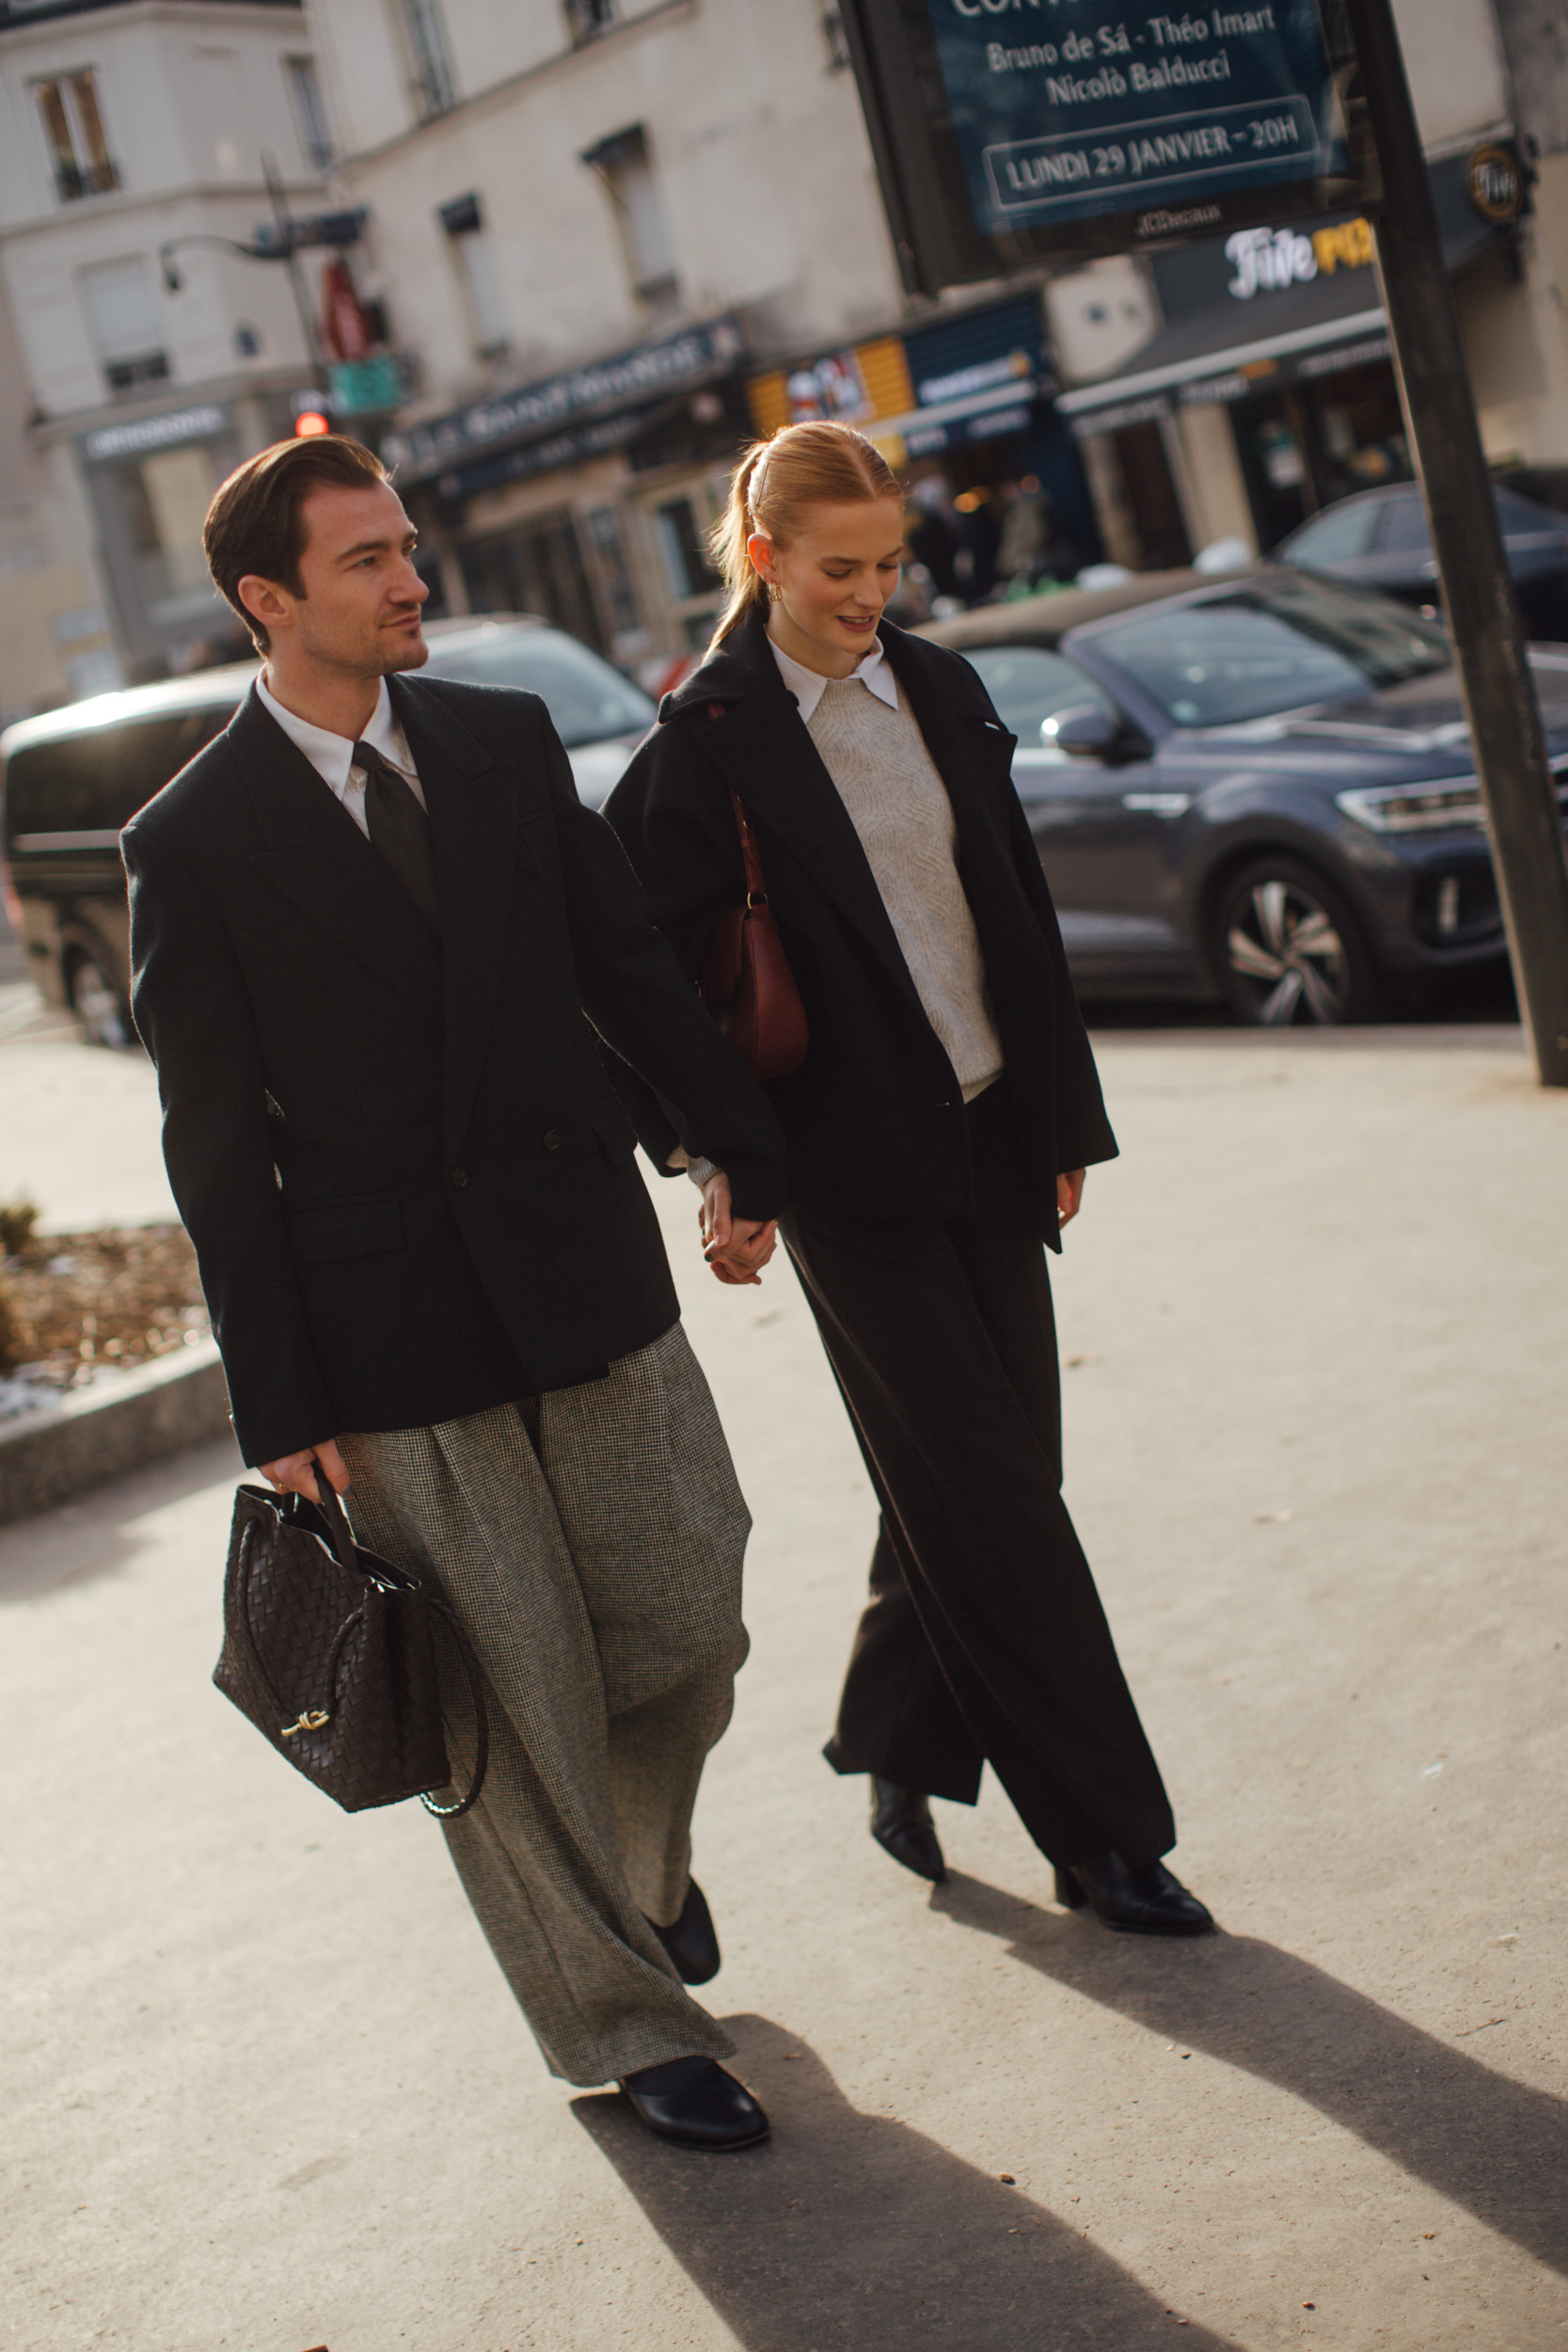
x,y
321,860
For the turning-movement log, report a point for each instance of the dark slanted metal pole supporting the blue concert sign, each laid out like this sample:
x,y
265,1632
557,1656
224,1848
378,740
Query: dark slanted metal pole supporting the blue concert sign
x,y
1517,787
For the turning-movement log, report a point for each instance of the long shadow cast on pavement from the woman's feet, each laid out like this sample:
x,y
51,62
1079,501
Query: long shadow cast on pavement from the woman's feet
x,y
1494,2146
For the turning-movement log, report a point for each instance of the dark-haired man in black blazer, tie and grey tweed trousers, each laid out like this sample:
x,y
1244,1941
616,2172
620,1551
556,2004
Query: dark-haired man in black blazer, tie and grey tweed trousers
x,y
373,942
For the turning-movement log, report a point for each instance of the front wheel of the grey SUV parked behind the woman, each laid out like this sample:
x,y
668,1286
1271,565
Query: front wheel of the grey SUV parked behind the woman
x,y
1287,949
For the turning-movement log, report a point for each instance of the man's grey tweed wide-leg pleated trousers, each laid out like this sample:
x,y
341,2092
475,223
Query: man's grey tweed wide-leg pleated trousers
x,y
591,1549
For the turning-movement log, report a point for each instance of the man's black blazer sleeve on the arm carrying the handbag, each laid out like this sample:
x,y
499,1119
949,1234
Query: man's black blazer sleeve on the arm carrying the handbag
x,y
194,1015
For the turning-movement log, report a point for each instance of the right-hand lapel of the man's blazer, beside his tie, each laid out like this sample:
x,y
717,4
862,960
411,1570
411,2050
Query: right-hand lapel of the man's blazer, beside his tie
x,y
474,817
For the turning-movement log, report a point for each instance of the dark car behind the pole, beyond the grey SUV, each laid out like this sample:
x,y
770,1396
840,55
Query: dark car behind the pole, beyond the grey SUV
x,y
1381,540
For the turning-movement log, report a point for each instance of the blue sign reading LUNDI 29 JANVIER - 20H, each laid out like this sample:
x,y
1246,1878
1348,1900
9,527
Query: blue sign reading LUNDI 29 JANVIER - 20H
x,y
1024,131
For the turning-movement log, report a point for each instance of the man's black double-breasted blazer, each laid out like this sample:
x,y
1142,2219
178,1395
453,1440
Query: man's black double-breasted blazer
x,y
403,1165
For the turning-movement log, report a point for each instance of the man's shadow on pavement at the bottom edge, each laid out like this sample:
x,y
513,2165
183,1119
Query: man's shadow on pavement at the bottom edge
x,y
852,2229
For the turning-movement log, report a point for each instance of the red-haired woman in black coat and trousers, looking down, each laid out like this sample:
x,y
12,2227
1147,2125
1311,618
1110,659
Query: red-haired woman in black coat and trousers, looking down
x,y
939,1132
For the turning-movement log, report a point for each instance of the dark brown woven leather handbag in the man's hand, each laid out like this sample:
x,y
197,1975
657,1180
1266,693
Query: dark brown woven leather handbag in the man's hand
x,y
333,1662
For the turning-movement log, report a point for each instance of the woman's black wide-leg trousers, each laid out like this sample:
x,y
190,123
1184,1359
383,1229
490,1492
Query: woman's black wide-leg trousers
x,y
984,1641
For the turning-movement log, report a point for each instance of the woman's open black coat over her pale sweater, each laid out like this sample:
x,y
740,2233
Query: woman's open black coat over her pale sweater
x,y
873,1118
